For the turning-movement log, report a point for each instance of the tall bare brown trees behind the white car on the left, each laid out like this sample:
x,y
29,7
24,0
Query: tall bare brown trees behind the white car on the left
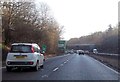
x,y
24,22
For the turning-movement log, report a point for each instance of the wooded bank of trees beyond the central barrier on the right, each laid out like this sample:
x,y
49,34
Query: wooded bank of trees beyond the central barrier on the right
x,y
106,41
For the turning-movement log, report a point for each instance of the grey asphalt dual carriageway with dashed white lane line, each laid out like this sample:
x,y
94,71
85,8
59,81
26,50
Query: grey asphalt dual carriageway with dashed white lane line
x,y
67,67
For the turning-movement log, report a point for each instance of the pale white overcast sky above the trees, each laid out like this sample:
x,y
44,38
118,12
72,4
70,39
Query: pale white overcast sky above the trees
x,y
83,17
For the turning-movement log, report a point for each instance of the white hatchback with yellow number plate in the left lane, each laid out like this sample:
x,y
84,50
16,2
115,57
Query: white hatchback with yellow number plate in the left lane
x,y
24,55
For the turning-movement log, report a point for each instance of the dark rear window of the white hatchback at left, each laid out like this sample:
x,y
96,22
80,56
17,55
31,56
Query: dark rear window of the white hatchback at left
x,y
21,49
